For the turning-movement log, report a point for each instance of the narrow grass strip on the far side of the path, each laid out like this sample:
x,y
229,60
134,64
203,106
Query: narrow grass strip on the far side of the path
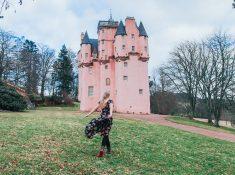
x,y
186,121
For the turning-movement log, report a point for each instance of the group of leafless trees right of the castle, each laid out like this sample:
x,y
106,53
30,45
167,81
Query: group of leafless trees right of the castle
x,y
202,73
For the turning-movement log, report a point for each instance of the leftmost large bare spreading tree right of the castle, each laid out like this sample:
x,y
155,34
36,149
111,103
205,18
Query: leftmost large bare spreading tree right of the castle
x,y
183,69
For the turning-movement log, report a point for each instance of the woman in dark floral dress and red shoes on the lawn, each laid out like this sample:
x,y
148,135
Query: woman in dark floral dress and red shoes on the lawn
x,y
103,124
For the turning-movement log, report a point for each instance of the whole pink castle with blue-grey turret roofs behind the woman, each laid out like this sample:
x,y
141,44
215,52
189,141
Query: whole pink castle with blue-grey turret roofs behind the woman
x,y
116,62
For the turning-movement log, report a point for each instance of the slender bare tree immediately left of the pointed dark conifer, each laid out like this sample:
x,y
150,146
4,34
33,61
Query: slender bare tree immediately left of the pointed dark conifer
x,y
46,58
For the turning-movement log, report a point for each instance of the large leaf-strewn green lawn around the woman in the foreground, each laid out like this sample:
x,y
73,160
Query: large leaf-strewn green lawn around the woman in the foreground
x,y
51,141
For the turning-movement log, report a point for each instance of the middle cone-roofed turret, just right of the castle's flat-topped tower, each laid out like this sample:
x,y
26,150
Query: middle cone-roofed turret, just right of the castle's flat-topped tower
x,y
120,45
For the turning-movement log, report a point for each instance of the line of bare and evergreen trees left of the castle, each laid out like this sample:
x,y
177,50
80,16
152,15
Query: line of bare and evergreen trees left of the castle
x,y
36,68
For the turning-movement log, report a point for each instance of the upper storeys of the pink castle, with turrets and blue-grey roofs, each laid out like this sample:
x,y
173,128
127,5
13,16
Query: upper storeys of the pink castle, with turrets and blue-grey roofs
x,y
115,41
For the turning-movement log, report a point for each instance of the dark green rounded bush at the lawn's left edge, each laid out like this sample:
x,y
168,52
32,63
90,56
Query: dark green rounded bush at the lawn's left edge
x,y
10,100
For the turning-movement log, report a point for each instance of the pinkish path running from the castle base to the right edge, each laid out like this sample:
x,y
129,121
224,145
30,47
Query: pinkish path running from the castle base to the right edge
x,y
161,120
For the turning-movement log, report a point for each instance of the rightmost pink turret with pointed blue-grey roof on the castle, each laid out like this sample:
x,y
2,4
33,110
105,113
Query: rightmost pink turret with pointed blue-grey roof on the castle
x,y
143,43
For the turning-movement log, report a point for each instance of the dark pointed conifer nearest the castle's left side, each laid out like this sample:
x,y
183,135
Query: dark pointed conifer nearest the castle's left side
x,y
64,73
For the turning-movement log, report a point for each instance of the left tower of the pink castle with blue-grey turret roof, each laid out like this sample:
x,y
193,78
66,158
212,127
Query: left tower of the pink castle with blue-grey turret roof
x,y
89,71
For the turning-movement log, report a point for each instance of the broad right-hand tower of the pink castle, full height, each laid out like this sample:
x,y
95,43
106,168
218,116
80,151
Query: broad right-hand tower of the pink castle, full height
x,y
132,95
